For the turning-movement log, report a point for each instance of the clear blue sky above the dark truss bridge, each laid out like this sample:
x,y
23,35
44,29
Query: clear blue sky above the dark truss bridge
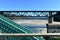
x,y
29,4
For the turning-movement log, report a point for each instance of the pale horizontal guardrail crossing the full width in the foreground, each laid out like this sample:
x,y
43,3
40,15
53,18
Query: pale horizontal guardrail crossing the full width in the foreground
x,y
29,35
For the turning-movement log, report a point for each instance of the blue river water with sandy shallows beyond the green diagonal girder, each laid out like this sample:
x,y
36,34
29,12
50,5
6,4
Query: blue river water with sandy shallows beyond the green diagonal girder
x,y
36,25
